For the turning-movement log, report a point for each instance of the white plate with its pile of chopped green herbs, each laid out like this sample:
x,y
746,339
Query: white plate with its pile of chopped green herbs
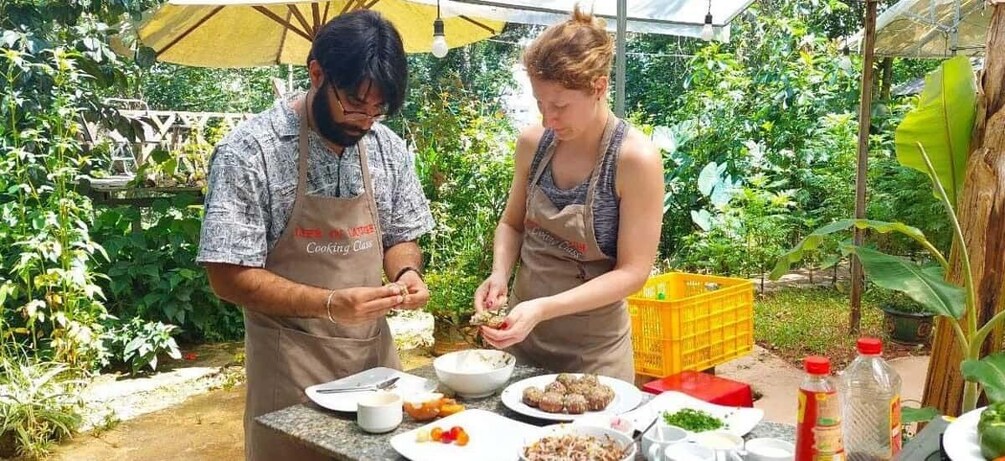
x,y
695,415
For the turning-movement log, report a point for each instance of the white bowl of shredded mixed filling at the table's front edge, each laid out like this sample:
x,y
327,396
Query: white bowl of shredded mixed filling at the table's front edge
x,y
566,442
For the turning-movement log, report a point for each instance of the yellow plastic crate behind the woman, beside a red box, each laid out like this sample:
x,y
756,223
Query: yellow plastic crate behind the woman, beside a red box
x,y
703,321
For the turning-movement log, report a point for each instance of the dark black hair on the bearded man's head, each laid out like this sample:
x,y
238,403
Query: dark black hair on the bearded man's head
x,y
362,47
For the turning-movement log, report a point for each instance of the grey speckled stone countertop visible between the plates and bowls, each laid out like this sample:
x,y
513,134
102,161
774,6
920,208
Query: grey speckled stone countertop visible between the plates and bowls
x,y
337,435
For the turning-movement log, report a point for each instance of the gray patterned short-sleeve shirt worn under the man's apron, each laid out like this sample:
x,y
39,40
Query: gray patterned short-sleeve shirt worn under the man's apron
x,y
253,185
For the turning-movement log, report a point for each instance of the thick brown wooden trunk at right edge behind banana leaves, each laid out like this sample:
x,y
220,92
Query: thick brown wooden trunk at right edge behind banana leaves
x,y
982,217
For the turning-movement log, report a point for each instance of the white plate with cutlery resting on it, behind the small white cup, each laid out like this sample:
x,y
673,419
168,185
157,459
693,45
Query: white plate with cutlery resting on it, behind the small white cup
x,y
346,402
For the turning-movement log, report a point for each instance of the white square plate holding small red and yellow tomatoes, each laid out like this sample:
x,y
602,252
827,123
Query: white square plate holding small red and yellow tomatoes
x,y
493,437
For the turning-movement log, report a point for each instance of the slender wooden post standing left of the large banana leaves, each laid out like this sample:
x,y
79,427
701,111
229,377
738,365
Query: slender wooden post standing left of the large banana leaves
x,y
865,122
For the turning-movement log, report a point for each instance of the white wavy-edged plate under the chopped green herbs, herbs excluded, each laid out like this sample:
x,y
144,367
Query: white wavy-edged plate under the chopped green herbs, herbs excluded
x,y
741,420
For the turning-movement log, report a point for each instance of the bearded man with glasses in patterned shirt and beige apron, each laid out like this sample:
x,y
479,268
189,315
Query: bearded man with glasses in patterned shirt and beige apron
x,y
311,205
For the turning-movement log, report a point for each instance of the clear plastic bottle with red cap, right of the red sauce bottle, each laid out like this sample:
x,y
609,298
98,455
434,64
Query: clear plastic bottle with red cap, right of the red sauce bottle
x,y
871,391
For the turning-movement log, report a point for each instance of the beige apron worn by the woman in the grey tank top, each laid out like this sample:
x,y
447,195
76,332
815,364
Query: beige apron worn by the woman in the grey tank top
x,y
560,253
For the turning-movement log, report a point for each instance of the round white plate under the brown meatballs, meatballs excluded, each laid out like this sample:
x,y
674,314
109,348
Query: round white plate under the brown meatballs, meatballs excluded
x,y
627,397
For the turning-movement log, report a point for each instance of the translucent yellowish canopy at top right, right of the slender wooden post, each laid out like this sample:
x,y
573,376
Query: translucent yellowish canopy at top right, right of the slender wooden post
x,y
932,29
